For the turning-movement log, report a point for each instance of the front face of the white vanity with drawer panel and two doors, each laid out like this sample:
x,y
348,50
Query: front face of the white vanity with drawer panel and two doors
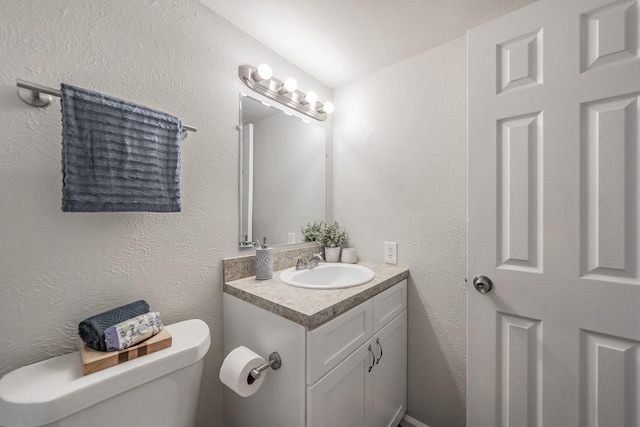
x,y
356,365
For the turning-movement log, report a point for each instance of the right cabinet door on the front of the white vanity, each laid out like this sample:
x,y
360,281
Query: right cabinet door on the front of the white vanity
x,y
390,373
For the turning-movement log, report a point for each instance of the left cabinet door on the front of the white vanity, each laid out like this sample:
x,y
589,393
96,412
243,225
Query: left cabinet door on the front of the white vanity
x,y
343,397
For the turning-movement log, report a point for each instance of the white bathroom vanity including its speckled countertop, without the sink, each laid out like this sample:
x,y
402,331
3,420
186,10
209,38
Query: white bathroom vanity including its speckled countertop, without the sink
x,y
343,351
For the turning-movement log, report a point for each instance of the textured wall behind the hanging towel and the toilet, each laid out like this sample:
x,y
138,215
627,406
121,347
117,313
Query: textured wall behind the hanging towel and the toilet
x,y
55,268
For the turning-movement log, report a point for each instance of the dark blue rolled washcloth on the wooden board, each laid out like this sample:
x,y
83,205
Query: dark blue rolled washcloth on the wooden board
x,y
92,329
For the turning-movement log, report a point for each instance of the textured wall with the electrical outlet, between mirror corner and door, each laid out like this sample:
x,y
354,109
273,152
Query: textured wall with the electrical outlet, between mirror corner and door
x,y
400,175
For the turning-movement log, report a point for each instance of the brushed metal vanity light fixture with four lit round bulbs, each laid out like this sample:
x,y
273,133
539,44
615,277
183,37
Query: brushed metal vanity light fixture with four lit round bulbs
x,y
262,81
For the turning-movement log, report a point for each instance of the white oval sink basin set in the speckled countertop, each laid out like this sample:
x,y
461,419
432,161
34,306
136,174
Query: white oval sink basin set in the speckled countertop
x,y
328,276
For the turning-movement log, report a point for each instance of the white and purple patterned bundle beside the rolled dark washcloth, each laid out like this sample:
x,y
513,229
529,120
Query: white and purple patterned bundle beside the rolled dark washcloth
x,y
132,331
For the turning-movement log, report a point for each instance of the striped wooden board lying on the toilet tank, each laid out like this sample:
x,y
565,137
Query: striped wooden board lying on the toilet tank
x,y
94,361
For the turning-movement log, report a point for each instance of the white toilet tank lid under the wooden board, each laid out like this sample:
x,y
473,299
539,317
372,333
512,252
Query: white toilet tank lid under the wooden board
x,y
50,390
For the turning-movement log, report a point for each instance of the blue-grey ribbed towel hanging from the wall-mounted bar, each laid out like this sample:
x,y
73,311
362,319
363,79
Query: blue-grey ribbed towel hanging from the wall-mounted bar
x,y
118,156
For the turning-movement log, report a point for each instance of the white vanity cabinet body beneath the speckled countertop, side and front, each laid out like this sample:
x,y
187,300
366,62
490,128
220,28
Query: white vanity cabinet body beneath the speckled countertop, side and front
x,y
349,371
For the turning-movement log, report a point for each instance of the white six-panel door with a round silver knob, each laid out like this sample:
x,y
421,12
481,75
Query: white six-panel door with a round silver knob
x,y
553,216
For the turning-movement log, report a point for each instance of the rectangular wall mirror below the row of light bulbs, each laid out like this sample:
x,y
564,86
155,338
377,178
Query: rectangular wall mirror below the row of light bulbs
x,y
282,174
